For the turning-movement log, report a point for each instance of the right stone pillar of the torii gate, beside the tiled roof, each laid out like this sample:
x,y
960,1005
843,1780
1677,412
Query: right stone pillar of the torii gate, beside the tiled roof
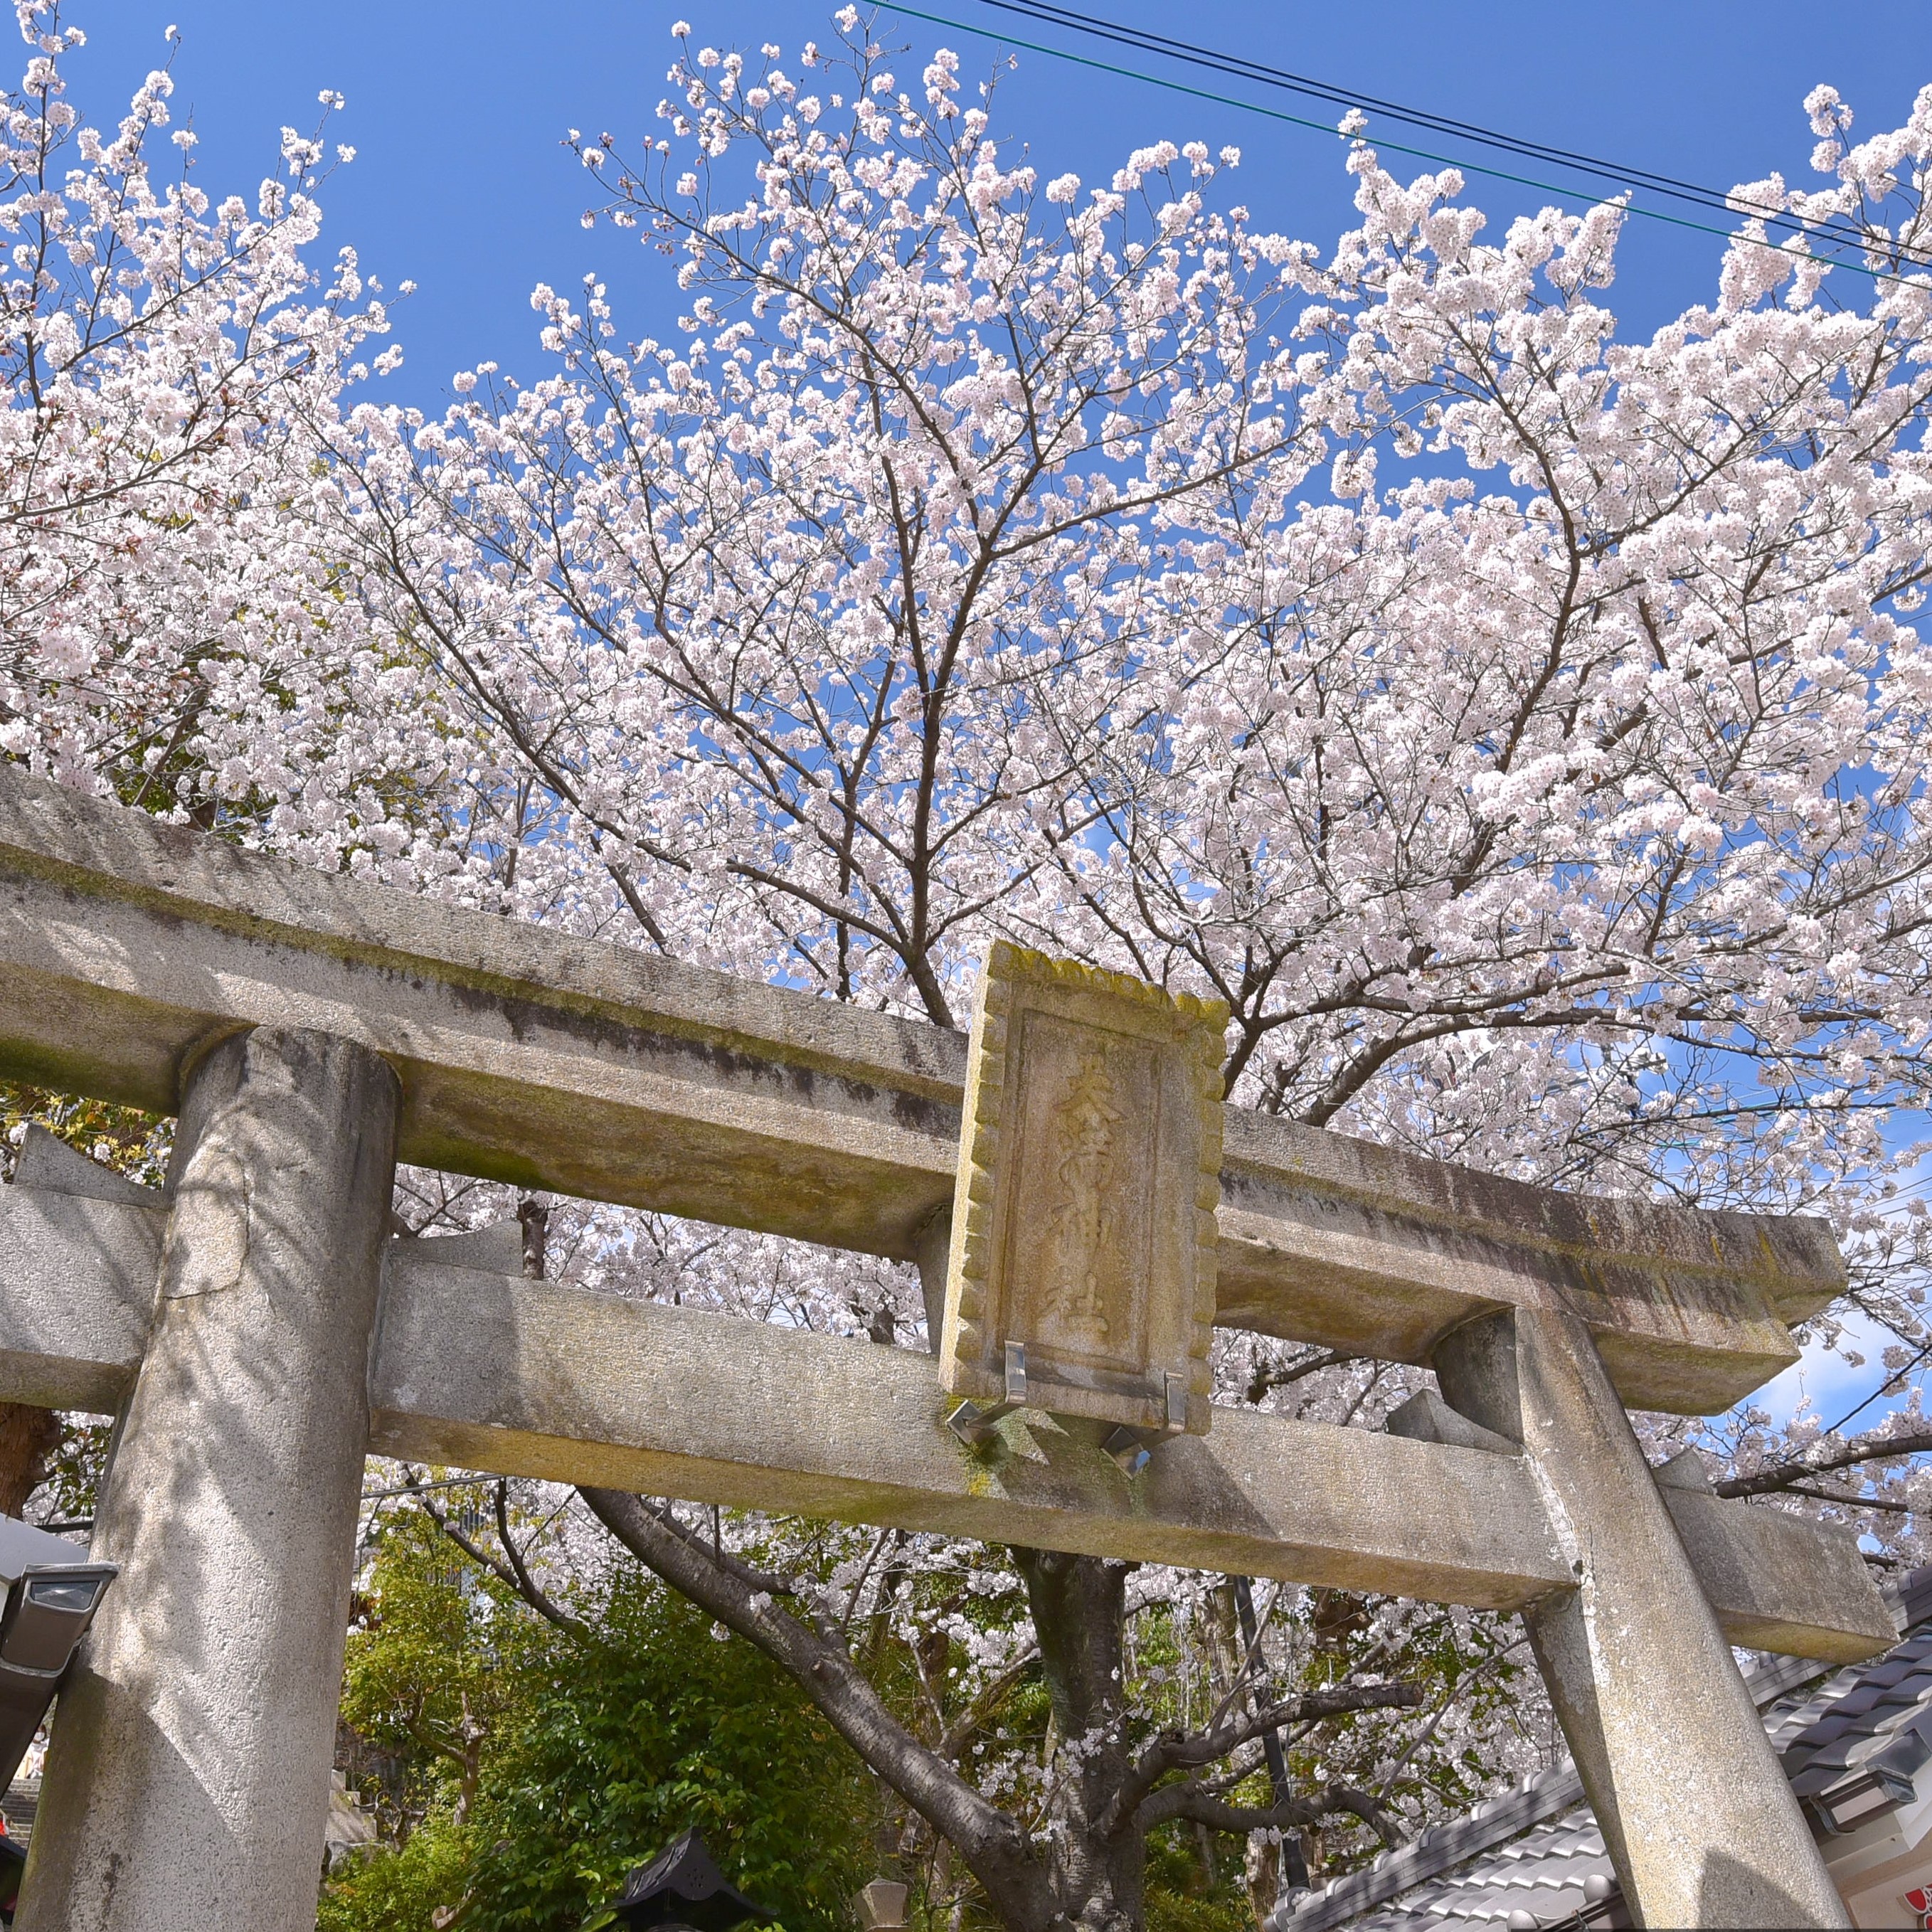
x,y
1695,1811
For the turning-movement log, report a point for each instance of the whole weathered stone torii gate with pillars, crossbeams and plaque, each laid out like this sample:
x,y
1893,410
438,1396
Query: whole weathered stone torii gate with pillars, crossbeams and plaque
x,y
1083,1212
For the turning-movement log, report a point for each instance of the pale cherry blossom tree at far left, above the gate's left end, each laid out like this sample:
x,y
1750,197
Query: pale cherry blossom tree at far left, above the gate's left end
x,y
169,631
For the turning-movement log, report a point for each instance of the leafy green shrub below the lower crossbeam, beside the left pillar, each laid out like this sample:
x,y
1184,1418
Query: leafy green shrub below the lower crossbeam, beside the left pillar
x,y
542,1765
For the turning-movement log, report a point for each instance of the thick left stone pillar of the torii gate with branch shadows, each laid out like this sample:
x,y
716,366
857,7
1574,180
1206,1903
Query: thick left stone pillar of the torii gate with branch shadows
x,y
188,1776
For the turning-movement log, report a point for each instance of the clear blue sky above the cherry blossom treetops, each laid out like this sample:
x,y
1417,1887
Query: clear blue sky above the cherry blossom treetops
x,y
463,186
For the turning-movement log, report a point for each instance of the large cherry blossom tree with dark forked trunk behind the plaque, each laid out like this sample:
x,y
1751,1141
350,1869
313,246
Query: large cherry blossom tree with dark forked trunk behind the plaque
x,y
1520,729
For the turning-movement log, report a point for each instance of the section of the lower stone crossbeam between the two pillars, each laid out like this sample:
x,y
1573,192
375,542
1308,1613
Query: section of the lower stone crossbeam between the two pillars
x,y
534,1378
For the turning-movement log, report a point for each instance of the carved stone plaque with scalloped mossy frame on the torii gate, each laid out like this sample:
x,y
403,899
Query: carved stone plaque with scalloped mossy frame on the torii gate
x,y
1085,1216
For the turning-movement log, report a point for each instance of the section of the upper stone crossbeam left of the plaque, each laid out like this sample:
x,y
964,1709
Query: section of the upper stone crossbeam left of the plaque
x,y
525,1056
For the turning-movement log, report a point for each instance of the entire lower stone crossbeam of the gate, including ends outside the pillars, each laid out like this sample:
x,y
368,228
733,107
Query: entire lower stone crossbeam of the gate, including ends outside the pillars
x,y
488,1371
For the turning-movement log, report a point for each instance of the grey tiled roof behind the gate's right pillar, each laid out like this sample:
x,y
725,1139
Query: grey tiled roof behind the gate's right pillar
x,y
1535,1850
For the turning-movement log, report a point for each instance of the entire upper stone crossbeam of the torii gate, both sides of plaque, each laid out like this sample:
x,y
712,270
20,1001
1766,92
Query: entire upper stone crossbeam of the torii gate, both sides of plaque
x,y
548,1062
